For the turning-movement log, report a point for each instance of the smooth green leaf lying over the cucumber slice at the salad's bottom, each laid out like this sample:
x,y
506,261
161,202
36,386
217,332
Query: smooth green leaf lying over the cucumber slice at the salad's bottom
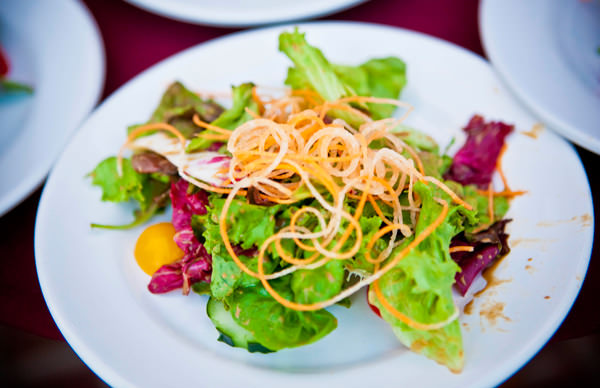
x,y
274,326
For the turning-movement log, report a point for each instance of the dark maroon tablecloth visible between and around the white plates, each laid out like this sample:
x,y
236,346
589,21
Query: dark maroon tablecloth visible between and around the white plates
x,y
135,40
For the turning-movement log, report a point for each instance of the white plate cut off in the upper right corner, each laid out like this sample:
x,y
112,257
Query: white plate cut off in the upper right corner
x,y
547,52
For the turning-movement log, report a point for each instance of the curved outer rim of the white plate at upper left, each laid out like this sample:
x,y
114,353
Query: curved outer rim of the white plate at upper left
x,y
35,178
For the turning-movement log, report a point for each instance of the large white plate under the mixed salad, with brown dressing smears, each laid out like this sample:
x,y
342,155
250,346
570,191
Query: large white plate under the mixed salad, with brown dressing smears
x,y
97,295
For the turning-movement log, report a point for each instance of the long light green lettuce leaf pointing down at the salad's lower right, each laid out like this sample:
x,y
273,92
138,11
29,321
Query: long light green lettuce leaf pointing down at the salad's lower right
x,y
420,285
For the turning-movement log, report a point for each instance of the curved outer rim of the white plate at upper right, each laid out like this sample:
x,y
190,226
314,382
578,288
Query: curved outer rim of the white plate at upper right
x,y
553,121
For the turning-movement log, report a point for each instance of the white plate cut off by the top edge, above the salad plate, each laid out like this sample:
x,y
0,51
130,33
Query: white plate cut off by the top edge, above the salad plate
x,y
243,13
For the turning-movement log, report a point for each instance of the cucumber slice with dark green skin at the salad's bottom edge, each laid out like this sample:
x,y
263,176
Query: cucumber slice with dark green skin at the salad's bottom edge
x,y
231,332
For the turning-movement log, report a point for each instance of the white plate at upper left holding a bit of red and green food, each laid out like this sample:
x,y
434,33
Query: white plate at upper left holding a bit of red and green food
x,y
56,48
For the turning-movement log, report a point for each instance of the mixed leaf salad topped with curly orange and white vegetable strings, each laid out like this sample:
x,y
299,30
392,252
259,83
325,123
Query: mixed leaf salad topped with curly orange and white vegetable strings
x,y
283,206
